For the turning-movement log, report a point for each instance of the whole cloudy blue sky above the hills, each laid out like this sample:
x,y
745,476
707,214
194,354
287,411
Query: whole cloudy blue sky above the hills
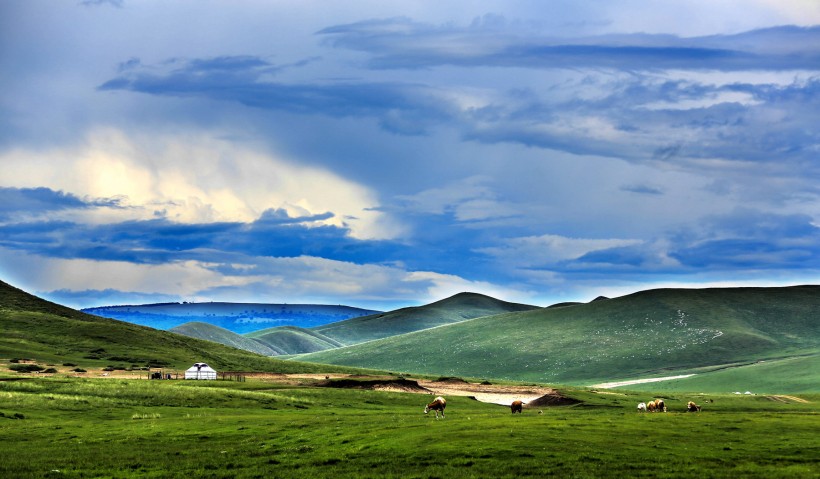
x,y
384,154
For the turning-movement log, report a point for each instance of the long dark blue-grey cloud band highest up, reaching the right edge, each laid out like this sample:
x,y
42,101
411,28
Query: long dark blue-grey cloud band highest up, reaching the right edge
x,y
404,43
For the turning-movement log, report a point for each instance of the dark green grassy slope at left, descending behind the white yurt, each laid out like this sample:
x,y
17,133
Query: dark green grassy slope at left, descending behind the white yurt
x,y
33,328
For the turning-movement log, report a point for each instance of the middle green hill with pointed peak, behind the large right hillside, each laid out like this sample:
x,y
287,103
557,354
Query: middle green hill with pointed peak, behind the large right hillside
x,y
460,307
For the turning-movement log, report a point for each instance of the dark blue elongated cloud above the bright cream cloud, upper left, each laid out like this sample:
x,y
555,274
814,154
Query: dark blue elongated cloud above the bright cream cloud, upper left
x,y
404,108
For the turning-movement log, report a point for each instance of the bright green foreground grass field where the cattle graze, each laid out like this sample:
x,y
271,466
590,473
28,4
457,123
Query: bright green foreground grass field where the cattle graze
x,y
75,427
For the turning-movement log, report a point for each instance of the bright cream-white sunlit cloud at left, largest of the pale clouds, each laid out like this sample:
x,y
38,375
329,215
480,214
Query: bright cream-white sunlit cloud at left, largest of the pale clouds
x,y
193,179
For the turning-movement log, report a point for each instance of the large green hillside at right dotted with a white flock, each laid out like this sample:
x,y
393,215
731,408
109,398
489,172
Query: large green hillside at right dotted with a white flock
x,y
651,333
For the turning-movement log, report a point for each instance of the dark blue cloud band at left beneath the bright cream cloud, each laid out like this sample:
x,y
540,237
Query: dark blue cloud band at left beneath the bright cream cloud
x,y
159,241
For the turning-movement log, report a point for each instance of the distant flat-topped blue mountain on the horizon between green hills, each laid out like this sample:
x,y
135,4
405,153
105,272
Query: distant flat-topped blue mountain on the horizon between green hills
x,y
237,317
